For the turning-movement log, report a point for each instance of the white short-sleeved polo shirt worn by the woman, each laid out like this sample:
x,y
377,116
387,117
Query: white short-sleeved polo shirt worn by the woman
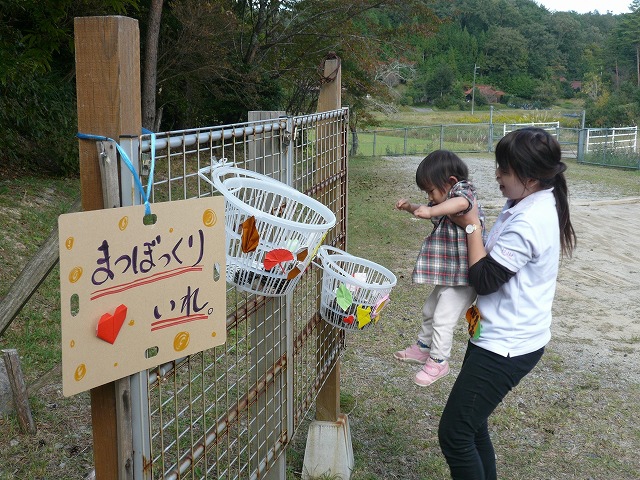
x,y
525,239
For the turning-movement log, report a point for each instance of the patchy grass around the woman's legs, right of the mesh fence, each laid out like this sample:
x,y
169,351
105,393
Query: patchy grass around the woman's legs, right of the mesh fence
x,y
558,423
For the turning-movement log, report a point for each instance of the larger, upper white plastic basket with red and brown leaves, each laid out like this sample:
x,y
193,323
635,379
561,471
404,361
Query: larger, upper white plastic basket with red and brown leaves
x,y
286,220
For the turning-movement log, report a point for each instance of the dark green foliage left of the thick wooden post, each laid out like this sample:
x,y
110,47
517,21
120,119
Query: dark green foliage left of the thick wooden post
x,y
37,95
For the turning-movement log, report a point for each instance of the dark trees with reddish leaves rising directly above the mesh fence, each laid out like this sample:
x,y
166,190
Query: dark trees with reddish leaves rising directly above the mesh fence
x,y
231,56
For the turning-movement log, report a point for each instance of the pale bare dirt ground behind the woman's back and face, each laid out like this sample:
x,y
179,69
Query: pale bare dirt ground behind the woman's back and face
x,y
597,301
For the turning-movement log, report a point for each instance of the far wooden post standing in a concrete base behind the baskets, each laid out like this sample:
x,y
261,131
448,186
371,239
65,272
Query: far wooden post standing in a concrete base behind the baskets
x,y
328,399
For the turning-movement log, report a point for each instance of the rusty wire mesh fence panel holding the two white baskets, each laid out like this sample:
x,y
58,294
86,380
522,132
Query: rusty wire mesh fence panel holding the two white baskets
x,y
229,412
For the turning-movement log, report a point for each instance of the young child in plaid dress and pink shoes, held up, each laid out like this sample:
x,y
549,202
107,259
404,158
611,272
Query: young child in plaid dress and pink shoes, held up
x,y
442,261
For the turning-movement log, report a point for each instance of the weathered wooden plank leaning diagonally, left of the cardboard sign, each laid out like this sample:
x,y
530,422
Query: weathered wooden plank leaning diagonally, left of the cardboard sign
x,y
30,278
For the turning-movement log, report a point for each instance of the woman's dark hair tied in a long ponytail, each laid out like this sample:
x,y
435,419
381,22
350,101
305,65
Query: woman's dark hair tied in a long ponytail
x,y
533,153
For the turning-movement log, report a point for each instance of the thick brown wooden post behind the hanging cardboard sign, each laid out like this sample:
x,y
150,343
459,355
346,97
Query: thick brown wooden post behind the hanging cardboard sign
x,y
108,93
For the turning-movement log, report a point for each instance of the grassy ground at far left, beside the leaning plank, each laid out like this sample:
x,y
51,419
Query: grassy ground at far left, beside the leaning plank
x,y
29,208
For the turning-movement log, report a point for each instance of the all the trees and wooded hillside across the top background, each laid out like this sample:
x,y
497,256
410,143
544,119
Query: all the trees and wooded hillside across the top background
x,y
219,59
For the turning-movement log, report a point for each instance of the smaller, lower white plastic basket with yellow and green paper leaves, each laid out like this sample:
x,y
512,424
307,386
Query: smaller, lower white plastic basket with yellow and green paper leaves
x,y
367,283
